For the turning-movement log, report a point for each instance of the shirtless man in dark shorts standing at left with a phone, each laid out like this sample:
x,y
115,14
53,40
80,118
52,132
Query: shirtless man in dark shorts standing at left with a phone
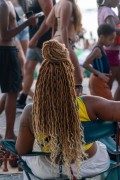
x,y
10,74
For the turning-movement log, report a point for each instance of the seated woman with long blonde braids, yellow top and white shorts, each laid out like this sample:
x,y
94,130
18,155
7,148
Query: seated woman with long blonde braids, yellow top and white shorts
x,y
53,121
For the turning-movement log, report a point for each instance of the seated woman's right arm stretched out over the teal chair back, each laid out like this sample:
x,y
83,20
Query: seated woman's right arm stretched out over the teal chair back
x,y
98,107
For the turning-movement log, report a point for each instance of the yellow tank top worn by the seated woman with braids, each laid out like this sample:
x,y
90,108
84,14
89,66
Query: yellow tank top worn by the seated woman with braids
x,y
83,117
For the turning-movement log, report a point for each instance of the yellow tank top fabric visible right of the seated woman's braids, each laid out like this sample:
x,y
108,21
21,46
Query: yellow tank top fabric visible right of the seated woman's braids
x,y
83,116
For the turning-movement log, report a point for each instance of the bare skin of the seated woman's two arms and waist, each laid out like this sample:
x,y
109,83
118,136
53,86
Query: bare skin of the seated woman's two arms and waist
x,y
96,107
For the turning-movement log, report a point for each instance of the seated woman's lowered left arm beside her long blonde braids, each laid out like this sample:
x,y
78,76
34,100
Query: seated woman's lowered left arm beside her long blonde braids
x,y
25,139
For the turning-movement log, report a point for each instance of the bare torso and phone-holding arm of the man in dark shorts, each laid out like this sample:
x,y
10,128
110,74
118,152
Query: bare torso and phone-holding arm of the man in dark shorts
x,y
8,28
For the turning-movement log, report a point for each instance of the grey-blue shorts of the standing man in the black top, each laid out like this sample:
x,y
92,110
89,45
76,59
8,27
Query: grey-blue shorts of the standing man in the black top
x,y
34,54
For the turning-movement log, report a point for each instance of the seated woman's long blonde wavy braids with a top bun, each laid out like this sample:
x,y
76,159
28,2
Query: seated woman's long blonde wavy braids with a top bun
x,y
54,108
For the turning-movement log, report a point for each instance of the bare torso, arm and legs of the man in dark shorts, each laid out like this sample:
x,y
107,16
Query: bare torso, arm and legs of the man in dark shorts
x,y
8,31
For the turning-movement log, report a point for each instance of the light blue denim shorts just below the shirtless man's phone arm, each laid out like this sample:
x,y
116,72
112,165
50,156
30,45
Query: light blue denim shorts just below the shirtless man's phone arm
x,y
24,34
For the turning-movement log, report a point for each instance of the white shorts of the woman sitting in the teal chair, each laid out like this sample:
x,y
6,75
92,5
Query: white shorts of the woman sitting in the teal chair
x,y
42,168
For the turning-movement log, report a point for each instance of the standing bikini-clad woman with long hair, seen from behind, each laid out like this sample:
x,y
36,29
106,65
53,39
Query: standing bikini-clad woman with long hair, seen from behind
x,y
67,17
